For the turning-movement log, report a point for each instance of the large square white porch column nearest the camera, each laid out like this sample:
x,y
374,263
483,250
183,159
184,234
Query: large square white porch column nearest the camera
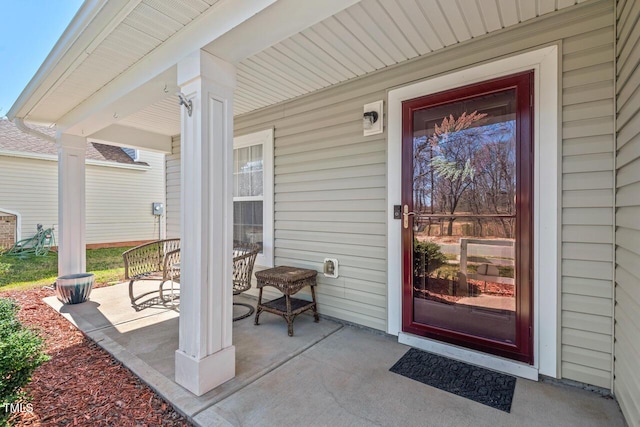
x,y
205,357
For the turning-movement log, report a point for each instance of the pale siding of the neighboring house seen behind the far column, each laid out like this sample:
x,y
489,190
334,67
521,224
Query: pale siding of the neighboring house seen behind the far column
x,y
118,200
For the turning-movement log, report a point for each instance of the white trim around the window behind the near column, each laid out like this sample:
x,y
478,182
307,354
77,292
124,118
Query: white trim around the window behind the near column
x,y
265,137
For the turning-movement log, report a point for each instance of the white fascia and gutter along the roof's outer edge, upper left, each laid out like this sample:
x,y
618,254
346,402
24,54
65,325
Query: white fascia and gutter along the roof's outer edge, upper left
x,y
91,24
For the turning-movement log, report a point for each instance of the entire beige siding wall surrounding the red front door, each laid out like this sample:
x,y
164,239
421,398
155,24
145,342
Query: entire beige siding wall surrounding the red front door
x,y
330,181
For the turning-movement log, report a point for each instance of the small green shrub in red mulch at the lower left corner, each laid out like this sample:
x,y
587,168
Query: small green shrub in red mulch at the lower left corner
x,y
21,352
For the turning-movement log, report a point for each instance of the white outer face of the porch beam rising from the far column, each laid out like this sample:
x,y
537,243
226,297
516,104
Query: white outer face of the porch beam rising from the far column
x,y
213,23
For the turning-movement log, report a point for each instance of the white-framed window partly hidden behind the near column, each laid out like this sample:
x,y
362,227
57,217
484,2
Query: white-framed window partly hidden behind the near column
x,y
253,192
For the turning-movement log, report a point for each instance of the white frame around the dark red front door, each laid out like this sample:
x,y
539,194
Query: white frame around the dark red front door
x,y
547,218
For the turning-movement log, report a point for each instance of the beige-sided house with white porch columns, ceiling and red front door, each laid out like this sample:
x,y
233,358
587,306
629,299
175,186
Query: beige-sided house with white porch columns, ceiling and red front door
x,y
310,177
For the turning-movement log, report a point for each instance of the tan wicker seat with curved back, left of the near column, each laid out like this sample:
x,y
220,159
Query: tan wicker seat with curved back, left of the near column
x,y
151,261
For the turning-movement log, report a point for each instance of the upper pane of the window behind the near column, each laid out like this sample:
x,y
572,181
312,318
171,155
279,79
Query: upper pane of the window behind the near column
x,y
247,171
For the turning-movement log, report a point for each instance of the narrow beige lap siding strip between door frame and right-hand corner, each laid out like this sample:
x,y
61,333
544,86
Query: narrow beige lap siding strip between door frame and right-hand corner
x,y
587,204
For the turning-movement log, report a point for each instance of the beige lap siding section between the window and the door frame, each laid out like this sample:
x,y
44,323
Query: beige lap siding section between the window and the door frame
x,y
330,202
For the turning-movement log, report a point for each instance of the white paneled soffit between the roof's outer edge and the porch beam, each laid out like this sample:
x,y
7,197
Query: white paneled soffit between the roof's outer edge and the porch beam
x,y
136,28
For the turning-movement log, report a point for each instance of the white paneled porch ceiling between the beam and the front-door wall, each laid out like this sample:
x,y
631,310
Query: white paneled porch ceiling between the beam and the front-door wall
x,y
371,35
